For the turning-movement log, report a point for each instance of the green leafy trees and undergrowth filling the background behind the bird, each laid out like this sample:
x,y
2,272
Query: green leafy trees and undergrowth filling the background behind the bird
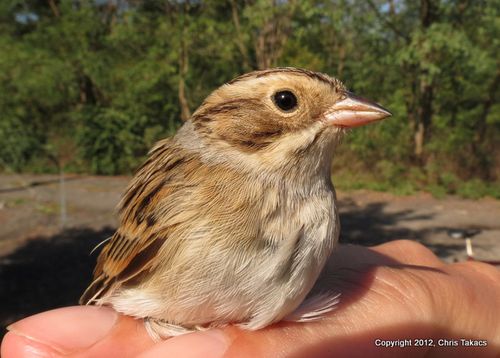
x,y
90,86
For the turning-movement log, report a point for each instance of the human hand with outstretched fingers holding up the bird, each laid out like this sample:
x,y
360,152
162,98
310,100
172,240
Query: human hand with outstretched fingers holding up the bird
x,y
395,291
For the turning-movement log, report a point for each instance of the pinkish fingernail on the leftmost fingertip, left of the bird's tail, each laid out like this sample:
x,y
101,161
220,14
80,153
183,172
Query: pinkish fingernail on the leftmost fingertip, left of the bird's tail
x,y
66,330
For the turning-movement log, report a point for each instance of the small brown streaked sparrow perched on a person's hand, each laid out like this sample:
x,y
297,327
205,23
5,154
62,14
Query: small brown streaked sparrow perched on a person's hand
x,y
232,219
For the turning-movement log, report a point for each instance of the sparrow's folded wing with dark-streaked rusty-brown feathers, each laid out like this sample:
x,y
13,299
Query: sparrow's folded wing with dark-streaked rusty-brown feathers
x,y
133,248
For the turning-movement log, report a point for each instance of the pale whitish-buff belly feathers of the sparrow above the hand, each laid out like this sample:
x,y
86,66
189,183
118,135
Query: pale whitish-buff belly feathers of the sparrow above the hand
x,y
254,285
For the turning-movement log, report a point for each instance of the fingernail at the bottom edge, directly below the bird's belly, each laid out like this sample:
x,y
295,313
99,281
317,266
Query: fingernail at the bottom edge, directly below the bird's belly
x,y
208,344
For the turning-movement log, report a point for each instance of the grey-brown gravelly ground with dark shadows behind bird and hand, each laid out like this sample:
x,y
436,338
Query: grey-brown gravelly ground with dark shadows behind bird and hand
x,y
45,260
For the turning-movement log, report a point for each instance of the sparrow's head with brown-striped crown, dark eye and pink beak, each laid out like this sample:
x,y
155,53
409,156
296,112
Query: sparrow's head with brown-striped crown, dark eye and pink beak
x,y
277,117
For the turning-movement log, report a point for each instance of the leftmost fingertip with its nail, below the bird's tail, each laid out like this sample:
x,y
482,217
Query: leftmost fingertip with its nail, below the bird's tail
x,y
81,331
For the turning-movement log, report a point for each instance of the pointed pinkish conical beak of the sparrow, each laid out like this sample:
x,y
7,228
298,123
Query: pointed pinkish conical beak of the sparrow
x,y
354,111
